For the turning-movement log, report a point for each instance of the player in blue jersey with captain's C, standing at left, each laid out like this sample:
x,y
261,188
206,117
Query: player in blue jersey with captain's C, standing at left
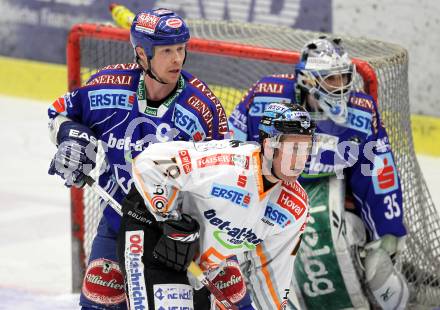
x,y
126,107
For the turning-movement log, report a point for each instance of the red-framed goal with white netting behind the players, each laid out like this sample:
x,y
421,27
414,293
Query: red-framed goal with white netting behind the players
x,y
229,57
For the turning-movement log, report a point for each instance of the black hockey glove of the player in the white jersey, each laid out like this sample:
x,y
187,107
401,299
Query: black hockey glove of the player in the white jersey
x,y
179,243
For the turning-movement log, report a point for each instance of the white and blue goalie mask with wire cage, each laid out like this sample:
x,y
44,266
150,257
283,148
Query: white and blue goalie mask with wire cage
x,y
326,73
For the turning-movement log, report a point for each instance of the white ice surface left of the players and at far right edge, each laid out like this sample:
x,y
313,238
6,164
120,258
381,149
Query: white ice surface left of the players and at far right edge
x,y
35,262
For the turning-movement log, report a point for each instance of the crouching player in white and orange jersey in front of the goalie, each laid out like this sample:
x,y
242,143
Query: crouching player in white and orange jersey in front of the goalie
x,y
210,201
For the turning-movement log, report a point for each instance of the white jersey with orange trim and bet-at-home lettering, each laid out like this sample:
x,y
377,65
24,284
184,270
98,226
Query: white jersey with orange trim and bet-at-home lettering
x,y
220,184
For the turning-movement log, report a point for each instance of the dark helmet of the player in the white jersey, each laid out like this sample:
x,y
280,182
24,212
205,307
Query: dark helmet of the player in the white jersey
x,y
283,119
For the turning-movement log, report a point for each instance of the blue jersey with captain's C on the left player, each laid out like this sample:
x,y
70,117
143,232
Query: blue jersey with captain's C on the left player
x,y
113,104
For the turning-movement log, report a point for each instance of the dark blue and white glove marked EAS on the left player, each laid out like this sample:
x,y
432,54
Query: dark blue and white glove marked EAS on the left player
x,y
76,155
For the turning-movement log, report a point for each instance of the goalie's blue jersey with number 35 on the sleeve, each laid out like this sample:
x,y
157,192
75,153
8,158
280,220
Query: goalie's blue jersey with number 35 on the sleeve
x,y
358,150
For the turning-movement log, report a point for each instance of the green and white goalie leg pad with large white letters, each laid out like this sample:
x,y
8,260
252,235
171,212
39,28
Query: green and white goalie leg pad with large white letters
x,y
324,269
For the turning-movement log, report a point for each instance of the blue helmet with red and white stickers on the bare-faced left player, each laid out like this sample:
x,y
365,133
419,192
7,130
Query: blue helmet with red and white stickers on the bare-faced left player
x,y
151,28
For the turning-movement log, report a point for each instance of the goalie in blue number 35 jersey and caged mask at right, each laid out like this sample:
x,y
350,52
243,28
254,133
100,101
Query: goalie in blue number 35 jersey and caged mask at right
x,y
350,143
